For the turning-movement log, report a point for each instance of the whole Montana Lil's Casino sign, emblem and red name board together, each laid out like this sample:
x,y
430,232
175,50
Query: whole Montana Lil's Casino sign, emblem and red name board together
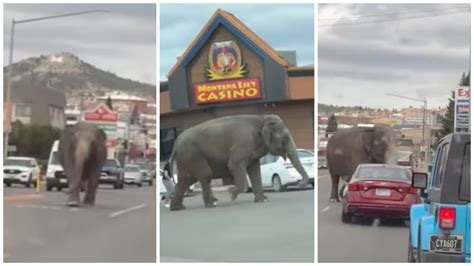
x,y
226,73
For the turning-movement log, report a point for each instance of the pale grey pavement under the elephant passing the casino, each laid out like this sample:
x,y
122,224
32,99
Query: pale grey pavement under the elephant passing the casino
x,y
280,230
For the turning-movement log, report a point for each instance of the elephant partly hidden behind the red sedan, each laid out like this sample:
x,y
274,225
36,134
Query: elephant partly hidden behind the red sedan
x,y
348,148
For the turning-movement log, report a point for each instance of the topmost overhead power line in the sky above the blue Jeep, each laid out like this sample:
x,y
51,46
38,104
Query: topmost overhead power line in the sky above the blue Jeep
x,y
349,22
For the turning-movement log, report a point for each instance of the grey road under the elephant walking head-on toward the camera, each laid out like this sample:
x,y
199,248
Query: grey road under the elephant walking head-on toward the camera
x,y
40,228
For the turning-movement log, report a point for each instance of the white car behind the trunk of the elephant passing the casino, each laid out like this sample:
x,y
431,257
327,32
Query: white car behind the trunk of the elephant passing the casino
x,y
279,174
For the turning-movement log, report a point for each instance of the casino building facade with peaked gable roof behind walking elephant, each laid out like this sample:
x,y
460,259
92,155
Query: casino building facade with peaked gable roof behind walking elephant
x,y
229,70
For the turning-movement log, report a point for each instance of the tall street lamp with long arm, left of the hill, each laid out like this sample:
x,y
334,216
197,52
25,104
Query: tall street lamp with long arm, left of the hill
x,y
10,61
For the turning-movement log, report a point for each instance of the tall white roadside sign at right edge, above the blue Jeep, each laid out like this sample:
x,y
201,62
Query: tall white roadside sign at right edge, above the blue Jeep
x,y
462,109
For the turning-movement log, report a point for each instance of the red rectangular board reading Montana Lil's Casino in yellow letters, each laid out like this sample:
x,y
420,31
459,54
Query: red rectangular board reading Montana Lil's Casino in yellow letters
x,y
228,90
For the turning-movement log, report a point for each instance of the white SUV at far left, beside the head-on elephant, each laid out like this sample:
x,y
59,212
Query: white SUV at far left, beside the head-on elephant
x,y
20,170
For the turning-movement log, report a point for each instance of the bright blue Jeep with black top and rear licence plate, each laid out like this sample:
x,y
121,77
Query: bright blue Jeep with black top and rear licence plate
x,y
440,227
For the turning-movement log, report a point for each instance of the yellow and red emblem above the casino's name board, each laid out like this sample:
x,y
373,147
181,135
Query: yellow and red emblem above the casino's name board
x,y
225,61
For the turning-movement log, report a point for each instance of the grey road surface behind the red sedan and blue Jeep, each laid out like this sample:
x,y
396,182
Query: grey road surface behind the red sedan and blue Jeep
x,y
364,240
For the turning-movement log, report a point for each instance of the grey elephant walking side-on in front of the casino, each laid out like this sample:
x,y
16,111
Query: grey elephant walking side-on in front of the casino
x,y
230,147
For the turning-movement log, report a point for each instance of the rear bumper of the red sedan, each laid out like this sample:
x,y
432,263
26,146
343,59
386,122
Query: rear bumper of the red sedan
x,y
378,210
